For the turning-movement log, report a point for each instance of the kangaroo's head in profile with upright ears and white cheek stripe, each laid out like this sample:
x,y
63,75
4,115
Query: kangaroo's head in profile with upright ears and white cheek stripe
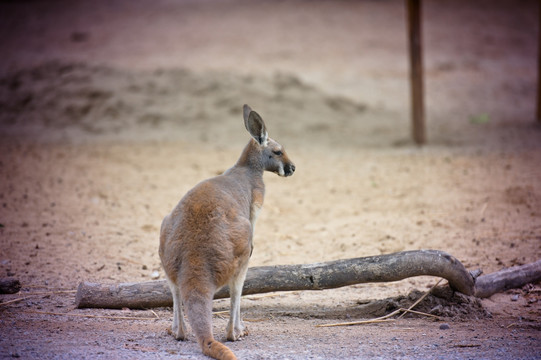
x,y
271,154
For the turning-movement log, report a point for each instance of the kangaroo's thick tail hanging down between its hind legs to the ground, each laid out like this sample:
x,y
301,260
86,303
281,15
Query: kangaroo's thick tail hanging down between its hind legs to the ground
x,y
199,310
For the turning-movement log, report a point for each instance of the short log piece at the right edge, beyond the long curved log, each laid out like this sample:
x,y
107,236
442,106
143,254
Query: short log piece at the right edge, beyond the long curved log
x,y
511,278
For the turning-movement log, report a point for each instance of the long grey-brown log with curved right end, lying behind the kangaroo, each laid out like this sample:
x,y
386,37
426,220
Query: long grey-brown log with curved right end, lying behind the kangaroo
x,y
318,276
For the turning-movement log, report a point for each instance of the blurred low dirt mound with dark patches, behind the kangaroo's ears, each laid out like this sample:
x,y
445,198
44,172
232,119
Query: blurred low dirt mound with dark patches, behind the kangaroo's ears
x,y
57,98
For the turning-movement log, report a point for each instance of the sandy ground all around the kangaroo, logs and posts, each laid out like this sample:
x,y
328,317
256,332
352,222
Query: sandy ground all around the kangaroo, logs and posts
x,y
111,111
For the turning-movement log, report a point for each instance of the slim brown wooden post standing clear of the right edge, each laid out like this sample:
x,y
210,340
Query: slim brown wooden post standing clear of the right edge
x,y
416,71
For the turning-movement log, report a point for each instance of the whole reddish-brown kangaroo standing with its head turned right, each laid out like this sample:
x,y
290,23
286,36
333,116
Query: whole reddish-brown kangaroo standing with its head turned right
x,y
206,241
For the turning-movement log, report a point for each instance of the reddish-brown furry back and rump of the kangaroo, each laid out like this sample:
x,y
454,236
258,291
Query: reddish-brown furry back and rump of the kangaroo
x,y
210,226
